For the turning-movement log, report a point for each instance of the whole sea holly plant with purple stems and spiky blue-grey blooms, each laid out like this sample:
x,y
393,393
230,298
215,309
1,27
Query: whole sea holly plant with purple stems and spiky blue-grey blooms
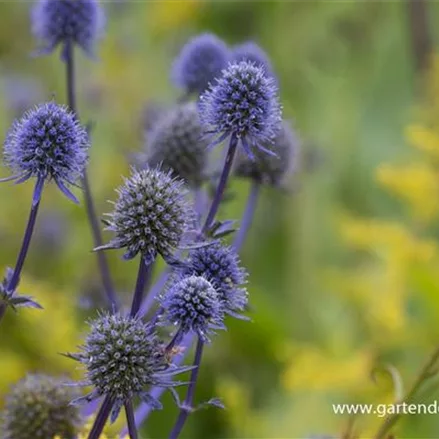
x,y
131,355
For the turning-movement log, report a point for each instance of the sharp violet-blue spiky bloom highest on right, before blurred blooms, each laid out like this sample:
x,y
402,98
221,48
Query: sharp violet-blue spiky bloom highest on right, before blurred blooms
x,y
243,103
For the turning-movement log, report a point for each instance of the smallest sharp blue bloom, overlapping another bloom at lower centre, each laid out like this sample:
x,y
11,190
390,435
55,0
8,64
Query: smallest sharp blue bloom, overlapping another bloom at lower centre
x,y
193,304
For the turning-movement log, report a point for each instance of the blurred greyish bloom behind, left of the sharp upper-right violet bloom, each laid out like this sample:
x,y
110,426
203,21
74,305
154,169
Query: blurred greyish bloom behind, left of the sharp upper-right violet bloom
x,y
176,143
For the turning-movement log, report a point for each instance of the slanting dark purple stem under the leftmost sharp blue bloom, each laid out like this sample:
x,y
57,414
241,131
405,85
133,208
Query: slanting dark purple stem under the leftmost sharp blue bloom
x,y
13,283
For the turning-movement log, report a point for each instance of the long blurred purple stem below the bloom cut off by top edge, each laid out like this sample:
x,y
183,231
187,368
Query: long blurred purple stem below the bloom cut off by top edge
x,y
89,204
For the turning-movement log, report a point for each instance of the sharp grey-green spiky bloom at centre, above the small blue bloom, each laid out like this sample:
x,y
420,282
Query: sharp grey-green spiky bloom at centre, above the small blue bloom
x,y
150,216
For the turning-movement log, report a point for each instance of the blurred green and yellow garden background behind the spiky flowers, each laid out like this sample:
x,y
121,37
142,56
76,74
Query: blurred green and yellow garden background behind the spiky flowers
x,y
343,271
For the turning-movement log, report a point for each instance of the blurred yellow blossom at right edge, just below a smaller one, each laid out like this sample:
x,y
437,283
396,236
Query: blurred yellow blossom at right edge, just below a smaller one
x,y
417,184
